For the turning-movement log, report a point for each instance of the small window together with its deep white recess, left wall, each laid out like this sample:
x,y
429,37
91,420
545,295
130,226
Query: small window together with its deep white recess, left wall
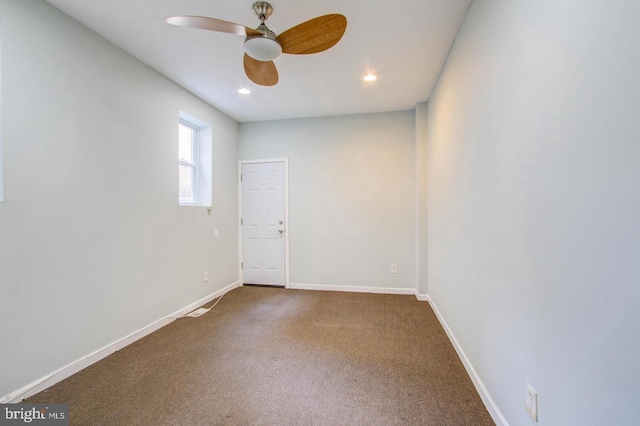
x,y
194,161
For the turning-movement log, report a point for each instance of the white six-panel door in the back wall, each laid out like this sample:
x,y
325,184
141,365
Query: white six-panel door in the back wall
x,y
263,227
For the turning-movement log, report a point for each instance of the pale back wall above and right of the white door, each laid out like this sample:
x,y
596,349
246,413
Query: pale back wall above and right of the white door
x,y
351,195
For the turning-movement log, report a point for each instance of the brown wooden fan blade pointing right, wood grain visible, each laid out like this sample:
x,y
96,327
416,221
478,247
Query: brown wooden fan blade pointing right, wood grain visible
x,y
313,36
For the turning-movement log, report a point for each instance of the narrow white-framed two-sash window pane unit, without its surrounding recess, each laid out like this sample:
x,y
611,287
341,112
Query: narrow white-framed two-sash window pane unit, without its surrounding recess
x,y
187,163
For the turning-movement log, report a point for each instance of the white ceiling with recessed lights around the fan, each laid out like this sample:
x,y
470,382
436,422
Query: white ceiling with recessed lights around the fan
x,y
405,42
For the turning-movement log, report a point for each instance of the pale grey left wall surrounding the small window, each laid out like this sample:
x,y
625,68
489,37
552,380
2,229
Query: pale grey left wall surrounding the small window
x,y
93,245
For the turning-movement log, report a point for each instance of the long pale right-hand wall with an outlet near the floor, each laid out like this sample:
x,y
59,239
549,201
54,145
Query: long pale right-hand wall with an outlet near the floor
x,y
533,205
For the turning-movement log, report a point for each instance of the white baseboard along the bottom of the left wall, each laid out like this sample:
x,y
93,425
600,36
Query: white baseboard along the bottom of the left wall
x,y
72,368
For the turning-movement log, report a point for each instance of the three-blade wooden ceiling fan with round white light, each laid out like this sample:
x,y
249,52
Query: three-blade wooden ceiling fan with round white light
x,y
262,45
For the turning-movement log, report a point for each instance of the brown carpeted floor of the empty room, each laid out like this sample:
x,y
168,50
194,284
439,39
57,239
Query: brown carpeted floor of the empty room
x,y
268,356
